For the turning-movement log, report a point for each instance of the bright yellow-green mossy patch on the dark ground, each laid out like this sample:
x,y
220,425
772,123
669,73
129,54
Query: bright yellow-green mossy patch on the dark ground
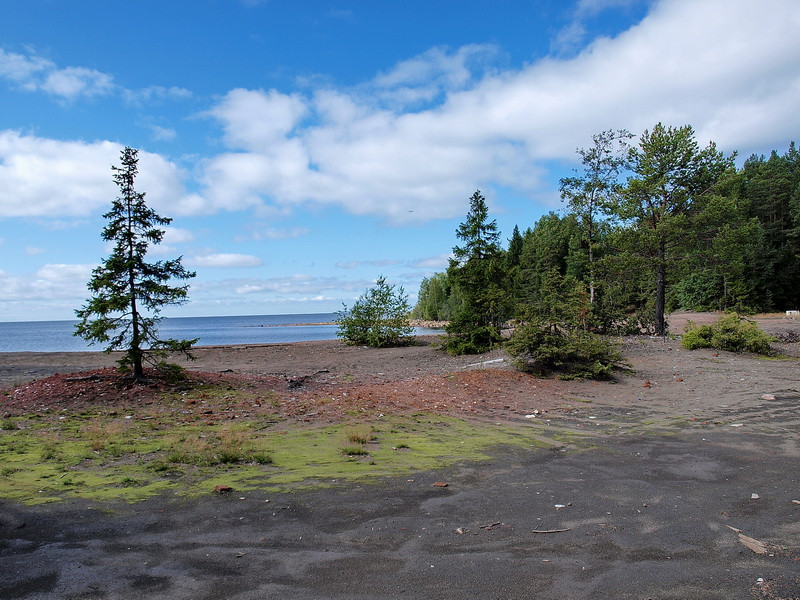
x,y
111,458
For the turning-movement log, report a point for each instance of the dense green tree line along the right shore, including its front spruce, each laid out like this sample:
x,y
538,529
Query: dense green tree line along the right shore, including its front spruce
x,y
650,226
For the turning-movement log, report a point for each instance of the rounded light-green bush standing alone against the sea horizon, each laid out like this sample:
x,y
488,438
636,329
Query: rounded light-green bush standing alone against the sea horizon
x,y
379,318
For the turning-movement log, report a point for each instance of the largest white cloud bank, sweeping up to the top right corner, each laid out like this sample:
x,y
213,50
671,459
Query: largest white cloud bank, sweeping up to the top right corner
x,y
710,63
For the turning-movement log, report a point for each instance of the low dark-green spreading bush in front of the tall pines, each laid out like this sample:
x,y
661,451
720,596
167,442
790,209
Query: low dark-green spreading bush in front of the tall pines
x,y
573,354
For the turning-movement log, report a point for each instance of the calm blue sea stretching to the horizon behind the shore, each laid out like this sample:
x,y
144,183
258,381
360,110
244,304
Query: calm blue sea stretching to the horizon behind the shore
x,y
57,336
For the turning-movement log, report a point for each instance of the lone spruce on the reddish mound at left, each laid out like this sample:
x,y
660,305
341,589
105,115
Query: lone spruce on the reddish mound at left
x,y
127,291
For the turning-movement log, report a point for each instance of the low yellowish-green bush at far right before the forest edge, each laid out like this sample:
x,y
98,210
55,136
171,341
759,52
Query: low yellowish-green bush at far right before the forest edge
x,y
732,333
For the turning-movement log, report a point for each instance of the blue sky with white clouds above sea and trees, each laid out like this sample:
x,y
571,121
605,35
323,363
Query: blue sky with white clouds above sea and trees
x,y
303,149
